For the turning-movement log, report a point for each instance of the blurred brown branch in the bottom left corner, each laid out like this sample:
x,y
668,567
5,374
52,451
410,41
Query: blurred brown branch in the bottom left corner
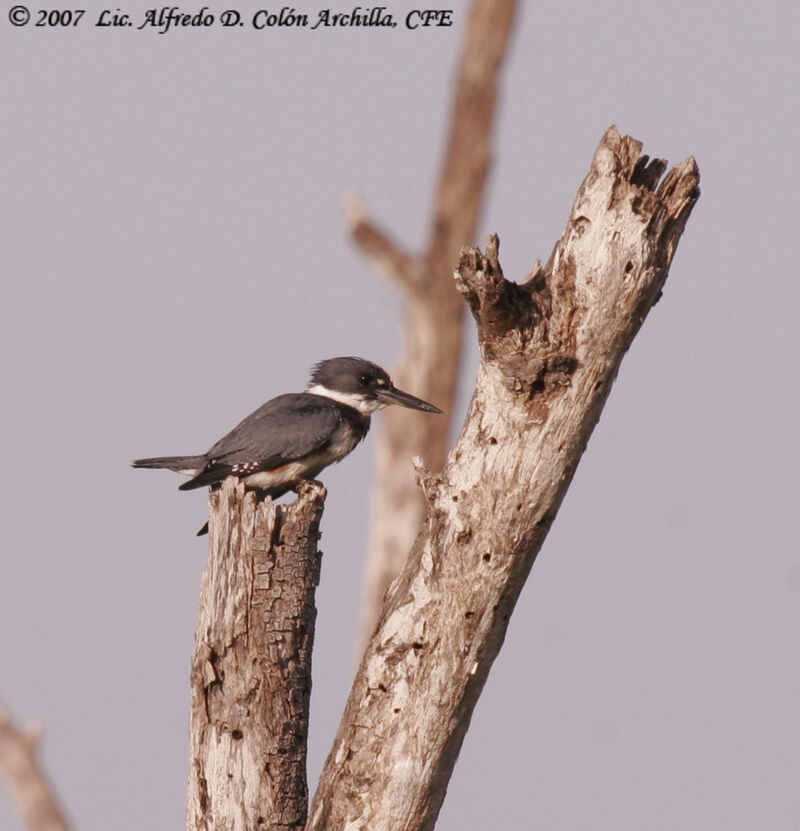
x,y
32,794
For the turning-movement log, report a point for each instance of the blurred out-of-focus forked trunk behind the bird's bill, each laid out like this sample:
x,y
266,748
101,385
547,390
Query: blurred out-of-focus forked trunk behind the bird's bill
x,y
433,312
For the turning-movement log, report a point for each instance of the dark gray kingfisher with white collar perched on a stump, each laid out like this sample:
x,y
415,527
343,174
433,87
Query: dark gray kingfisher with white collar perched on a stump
x,y
293,437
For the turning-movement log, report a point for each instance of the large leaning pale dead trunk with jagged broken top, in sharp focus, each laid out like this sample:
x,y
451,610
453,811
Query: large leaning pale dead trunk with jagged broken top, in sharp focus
x,y
550,349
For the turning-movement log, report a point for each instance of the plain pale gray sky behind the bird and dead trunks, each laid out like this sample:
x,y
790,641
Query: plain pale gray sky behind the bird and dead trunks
x,y
174,256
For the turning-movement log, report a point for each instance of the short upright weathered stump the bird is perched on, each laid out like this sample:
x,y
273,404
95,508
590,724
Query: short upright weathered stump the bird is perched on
x,y
251,667
